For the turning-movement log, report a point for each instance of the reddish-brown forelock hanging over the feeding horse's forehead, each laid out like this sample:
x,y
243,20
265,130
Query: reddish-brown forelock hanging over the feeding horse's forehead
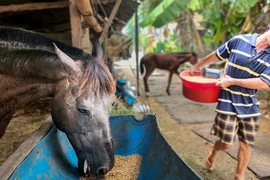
x,y
97,77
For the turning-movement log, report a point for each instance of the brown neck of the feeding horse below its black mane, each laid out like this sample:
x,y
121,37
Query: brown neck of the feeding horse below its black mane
x,y
24,80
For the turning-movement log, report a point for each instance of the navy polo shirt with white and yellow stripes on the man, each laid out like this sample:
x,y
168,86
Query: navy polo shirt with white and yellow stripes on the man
x,y
242,62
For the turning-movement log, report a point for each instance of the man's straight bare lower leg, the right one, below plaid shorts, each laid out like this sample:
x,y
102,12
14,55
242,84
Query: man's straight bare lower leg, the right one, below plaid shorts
x,y
244,154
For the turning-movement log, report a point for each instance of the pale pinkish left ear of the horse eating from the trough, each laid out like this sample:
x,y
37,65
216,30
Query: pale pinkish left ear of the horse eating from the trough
x,y
71,66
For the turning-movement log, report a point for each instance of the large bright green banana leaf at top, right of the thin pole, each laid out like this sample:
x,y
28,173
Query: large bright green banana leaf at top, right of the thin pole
x,y
165,12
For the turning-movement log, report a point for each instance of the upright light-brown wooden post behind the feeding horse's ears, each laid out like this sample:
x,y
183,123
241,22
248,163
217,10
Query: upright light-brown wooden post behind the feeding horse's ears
x,y
76,27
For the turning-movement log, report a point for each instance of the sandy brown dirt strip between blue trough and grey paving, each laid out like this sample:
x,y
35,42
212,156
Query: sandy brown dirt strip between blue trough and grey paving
x,y
192,148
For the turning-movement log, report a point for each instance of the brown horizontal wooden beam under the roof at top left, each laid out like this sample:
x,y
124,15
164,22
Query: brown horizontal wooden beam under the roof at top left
x,y
33,6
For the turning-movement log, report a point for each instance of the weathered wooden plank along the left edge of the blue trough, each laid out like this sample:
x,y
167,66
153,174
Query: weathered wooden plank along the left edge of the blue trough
x,y
10,165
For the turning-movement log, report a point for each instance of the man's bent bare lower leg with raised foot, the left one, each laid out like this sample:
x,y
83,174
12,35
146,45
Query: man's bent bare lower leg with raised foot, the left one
x,y
212,156
